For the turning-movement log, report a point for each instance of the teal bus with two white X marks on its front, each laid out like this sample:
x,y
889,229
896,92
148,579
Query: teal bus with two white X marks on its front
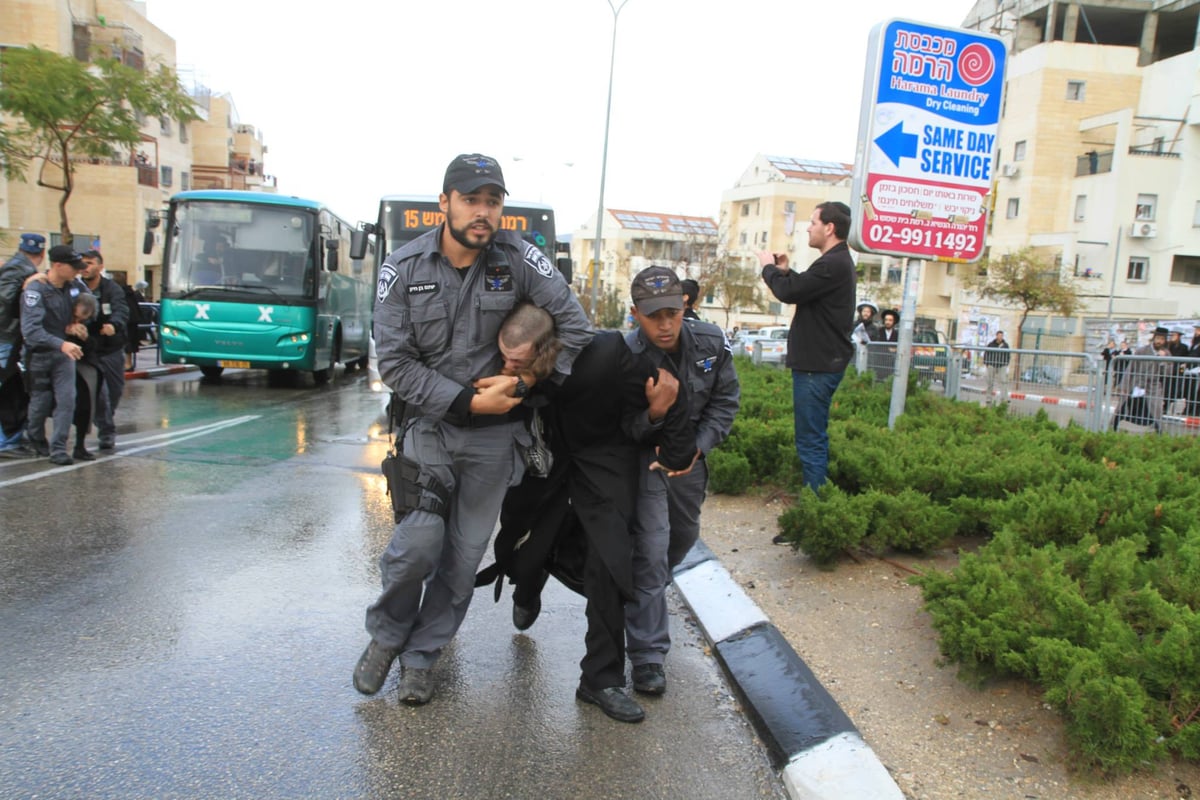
x,y
259,281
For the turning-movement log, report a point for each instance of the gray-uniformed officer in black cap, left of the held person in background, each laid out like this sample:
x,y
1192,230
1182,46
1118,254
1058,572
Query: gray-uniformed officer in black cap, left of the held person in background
x,y
46,312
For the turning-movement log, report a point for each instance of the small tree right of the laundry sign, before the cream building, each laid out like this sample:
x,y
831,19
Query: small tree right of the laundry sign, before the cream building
x,y
1025,281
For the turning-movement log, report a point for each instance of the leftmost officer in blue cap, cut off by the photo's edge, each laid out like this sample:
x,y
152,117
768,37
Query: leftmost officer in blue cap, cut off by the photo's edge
x,y
14,399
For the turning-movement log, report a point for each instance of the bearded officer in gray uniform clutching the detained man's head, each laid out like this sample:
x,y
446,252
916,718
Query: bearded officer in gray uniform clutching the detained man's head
x,y
440,306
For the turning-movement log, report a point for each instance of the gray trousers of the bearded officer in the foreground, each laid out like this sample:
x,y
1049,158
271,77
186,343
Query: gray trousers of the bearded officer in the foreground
x,y
477,466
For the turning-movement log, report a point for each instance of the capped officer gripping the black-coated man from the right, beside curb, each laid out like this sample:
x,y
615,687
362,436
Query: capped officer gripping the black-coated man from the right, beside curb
x,y
668,521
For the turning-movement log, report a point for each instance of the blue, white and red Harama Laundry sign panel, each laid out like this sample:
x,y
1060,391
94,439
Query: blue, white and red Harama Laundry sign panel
x,y
927,142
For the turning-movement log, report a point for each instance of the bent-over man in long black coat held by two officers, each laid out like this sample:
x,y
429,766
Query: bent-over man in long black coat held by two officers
x,y
578,519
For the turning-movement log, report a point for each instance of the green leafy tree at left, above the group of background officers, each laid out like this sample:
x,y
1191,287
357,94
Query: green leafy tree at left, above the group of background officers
x,y
61,109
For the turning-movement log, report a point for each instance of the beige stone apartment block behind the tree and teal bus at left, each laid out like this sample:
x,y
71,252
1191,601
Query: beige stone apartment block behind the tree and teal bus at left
x,y
118,203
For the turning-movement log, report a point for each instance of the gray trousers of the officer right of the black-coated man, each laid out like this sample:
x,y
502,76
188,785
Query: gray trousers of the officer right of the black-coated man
x,y
667,527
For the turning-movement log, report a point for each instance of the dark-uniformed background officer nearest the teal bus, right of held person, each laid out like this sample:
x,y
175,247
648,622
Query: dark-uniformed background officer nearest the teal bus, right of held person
x,y
111,329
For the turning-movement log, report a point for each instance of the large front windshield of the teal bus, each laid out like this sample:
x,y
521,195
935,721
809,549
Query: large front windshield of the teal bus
x,y
243,249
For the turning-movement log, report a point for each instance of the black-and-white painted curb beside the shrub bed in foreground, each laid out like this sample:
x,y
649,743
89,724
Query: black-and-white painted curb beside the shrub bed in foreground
x,y
807,735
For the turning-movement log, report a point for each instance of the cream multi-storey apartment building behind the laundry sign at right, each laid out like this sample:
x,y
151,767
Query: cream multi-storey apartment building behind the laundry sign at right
x,y
1100,153
